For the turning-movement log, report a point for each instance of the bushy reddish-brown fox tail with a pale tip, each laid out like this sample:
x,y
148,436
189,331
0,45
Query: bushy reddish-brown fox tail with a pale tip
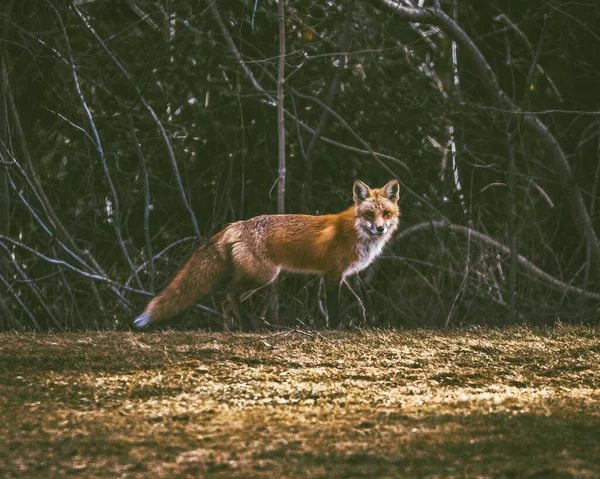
x,y
196,279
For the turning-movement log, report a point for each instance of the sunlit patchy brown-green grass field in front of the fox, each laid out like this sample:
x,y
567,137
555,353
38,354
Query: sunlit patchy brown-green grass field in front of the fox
x,y
512,402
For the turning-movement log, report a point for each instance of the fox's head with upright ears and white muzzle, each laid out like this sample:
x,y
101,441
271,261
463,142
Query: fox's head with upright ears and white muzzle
x,y
377,209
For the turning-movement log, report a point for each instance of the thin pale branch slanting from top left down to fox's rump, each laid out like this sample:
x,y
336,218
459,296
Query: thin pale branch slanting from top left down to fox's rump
x,y
159,124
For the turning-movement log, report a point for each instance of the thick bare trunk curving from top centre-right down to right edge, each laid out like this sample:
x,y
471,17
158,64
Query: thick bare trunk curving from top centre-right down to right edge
x,y
554,152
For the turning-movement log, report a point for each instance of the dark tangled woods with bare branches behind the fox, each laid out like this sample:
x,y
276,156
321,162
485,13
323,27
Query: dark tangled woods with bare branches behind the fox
x,y
131,131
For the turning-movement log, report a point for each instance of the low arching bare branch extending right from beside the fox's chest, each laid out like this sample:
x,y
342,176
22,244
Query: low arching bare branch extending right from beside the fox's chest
x,y
537,272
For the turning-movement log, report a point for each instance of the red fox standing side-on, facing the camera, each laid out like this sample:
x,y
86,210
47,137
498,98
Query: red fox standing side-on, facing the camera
x,y
250,254
